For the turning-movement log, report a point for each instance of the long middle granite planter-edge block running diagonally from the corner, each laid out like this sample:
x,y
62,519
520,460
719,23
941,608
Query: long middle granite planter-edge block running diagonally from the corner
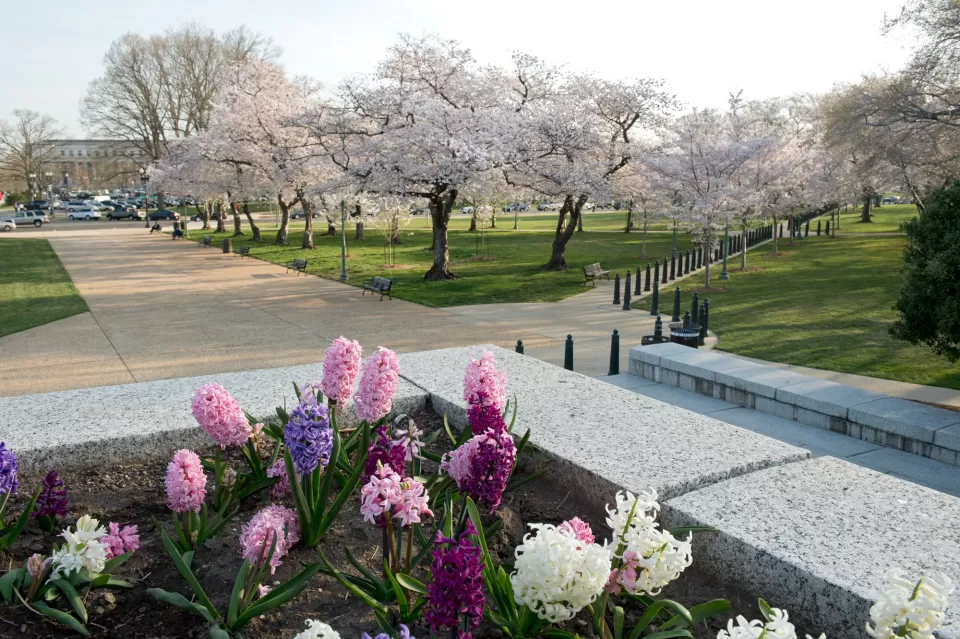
x,y
606,437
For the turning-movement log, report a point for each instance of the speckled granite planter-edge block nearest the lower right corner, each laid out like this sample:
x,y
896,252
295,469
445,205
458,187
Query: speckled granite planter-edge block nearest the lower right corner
x,y
817,536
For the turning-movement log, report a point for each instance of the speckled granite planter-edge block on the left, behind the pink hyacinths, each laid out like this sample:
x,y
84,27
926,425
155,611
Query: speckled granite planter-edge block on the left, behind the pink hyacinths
x,y
149,420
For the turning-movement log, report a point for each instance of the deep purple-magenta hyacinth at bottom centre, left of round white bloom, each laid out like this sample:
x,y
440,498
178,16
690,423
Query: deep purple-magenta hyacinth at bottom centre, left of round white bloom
x,y
455,592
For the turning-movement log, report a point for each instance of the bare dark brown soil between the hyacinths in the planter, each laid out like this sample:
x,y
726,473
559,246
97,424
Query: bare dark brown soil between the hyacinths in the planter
x,y
134,494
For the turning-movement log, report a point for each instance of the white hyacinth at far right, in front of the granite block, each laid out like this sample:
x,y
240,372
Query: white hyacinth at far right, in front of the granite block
x,y
913,608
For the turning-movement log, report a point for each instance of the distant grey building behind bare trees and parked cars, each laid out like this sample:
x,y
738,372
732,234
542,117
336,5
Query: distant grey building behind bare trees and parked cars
x,y
95,164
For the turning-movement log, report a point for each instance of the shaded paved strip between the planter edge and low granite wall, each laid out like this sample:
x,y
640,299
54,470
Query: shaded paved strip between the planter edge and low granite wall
x,y
920,470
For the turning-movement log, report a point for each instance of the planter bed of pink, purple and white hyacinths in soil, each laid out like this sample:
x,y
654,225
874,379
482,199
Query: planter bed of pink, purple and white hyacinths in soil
x,y
399,528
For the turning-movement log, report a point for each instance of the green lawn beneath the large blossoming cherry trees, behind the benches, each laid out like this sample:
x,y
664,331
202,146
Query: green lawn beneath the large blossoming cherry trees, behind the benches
x,y
510,275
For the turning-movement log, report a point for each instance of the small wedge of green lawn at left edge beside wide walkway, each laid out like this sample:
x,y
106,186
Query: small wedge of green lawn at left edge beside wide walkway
x,y
34,287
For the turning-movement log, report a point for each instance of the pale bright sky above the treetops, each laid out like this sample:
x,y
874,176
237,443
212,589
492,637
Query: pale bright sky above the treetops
x,y
703,49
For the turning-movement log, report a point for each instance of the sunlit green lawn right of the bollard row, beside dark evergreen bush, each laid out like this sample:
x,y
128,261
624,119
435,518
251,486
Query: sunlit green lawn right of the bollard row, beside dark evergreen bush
x,y
825,303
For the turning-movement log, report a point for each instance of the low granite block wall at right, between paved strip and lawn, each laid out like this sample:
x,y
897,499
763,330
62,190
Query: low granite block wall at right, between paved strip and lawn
x,y
887,421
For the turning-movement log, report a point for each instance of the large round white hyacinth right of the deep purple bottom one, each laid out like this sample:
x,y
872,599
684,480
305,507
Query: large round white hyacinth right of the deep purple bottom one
x,y
556,574
